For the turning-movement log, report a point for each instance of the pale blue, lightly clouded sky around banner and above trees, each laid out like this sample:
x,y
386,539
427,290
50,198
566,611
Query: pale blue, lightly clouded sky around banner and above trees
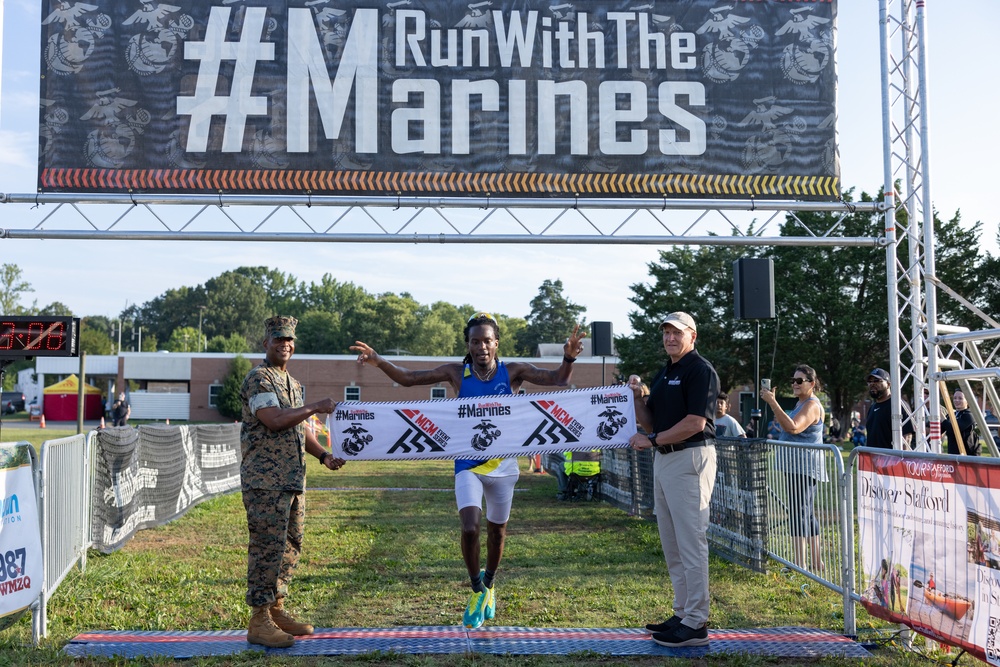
x,y
102,277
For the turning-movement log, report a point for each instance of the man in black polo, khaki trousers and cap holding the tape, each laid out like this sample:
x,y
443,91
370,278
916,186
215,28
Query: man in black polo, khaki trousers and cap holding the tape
x,y
678,417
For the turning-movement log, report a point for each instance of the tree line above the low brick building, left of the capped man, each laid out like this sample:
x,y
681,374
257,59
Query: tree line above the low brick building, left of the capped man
x,y
225,314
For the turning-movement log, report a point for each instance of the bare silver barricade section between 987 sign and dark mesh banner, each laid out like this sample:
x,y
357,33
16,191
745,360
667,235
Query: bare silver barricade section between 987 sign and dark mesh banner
x,y
65,515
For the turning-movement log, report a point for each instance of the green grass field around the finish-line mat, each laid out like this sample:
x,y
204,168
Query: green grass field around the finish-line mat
x,y
382,558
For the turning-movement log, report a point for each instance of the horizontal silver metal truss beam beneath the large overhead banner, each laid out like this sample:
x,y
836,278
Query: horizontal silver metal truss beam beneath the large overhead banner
x,y
434,220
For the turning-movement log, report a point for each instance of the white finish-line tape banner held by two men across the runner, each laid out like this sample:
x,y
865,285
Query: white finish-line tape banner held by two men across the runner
x,y
484,427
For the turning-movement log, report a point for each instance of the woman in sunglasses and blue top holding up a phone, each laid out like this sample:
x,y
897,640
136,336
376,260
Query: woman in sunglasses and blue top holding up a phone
x,y
803,468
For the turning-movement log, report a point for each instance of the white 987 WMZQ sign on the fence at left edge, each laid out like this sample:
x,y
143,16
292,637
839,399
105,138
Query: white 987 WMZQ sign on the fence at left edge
x,y
20,536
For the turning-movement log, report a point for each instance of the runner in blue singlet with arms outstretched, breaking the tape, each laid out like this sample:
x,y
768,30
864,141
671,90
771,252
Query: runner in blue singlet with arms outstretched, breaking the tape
x,y
482,374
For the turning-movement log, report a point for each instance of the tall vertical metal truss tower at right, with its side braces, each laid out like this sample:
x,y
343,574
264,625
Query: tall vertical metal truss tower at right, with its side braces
x,y
926,352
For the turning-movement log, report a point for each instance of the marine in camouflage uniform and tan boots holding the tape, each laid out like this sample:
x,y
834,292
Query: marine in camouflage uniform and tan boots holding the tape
x,y
274,443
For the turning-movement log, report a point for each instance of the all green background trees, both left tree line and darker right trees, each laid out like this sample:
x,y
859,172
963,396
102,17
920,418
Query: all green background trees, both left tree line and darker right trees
x,y
831,307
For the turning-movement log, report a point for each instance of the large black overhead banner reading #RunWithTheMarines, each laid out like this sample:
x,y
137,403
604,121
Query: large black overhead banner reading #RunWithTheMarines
x,y
687,98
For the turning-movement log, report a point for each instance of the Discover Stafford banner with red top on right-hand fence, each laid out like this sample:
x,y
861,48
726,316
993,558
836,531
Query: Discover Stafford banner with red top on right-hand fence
x,y
930,547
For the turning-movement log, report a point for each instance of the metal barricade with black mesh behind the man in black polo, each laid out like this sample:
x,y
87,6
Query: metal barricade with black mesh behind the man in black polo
x,y
785,501
